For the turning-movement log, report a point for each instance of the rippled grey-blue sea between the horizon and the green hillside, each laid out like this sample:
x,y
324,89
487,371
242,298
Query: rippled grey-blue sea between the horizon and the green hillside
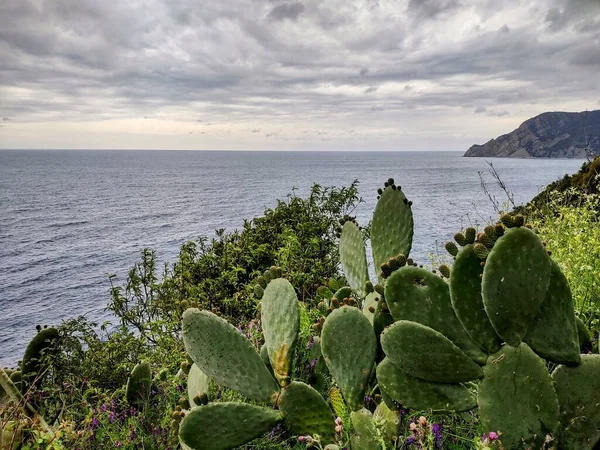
x,y
68,218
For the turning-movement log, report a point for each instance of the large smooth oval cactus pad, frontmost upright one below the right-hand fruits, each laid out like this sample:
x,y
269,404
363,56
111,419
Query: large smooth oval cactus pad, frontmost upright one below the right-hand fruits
x,y
515,281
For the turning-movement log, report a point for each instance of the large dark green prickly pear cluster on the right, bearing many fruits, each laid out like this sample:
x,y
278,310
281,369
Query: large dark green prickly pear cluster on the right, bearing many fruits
x,y
479,336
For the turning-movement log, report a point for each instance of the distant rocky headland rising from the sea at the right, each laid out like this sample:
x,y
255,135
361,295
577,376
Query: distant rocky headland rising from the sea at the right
x,y
549,135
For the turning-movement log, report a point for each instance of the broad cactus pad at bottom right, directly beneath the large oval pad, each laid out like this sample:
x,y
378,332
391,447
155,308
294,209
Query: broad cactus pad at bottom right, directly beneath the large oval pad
x,y
517,399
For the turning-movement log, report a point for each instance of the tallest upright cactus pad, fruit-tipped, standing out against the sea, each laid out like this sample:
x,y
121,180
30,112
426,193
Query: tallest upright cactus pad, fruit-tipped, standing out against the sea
x,y
392,226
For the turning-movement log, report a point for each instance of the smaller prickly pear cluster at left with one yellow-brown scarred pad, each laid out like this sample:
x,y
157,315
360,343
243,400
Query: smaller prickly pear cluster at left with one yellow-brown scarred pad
x,y
221,353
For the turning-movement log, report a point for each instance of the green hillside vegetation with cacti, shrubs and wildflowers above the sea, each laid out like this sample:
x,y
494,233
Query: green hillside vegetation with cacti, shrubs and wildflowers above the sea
x,y
283,311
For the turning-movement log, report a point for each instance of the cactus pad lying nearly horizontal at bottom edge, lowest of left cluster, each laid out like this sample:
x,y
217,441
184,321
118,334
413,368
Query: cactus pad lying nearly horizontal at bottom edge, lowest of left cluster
x,y
231,425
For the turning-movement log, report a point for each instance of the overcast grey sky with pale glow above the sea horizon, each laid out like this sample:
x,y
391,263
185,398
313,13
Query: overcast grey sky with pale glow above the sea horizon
x,y
289,75
